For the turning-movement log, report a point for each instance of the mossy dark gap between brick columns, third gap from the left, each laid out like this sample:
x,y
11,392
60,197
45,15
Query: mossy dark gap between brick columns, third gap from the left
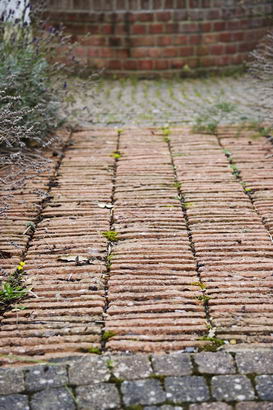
x,y
183,201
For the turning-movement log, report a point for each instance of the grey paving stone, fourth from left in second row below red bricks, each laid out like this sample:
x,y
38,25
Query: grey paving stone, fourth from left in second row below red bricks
x,y
142,392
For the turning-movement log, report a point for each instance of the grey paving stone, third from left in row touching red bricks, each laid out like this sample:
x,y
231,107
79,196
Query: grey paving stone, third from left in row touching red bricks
x,y
90,369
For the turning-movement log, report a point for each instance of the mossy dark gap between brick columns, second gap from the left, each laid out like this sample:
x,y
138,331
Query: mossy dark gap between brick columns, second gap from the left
x,y
104,336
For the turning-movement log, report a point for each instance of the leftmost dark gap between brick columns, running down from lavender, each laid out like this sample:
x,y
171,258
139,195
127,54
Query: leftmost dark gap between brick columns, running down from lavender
x,y
43,203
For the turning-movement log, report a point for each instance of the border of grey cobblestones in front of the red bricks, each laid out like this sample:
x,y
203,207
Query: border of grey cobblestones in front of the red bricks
x,y
206,380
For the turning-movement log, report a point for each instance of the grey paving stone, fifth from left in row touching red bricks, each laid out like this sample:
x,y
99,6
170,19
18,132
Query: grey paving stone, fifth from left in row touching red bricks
x,y
174,364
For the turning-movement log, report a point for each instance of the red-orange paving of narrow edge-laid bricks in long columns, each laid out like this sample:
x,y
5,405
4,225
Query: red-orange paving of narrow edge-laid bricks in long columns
x,y
148,297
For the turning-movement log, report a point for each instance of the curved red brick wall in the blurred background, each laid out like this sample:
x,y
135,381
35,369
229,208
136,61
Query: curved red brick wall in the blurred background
x,y
166,36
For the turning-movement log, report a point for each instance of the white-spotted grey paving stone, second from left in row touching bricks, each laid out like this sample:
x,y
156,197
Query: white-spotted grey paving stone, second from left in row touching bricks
x,y
40,377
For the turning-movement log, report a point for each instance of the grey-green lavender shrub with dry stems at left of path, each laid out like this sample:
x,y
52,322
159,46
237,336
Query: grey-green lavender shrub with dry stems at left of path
x,y
34,95
